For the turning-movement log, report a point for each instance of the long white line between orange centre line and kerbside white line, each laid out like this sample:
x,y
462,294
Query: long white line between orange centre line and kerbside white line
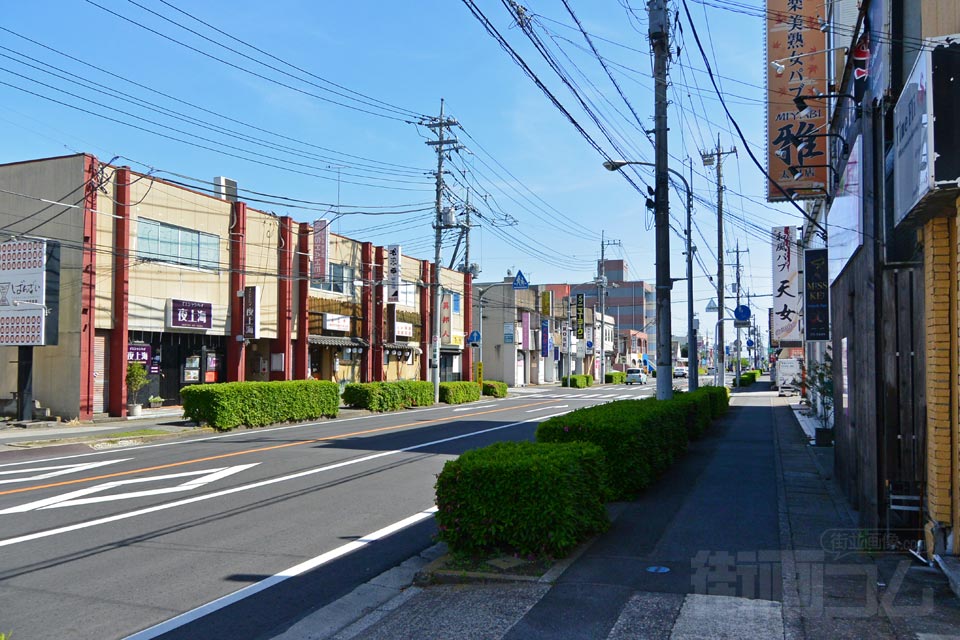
x,y
254,485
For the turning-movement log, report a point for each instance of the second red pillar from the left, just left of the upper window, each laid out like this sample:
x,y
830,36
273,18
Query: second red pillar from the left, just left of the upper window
x,y
121,295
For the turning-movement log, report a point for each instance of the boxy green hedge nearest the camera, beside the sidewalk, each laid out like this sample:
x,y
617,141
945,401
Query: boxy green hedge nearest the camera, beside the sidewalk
x,y
522,497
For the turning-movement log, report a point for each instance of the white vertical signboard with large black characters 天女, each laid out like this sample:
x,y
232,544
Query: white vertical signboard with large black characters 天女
x,y
786,288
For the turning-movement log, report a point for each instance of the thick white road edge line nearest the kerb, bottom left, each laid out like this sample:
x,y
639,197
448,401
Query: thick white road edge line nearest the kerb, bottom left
x,y
286,574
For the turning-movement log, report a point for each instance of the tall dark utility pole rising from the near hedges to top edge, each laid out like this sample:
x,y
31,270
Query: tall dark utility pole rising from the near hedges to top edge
x,y
659,39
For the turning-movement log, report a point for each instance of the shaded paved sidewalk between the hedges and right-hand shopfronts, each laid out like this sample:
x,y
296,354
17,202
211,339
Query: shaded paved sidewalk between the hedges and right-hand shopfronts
x,y
742,538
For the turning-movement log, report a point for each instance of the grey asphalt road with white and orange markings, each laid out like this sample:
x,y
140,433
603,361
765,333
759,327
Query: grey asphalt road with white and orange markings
x,y
237,534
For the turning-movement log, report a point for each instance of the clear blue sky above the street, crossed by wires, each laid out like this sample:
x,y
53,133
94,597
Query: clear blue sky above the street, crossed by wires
x,y
543,197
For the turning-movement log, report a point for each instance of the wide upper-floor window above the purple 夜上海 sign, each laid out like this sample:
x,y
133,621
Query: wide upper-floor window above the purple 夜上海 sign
x,y
160,242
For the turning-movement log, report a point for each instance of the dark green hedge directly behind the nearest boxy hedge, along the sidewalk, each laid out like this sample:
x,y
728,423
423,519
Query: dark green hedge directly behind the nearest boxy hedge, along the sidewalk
x,y
639,438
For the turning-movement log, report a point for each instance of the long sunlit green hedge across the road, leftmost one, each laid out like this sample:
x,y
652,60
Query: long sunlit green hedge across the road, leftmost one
x,y
227,405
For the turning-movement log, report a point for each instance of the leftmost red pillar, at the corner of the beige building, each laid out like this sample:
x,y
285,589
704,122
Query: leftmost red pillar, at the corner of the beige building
x,y
88,286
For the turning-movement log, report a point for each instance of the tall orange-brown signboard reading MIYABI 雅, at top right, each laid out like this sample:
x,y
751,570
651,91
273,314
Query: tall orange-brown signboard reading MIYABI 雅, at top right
x,y
796,67
